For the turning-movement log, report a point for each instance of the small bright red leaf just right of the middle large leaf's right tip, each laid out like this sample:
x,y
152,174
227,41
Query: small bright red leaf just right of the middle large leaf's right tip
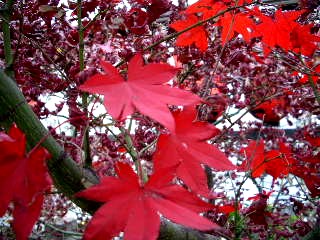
x,y
254,162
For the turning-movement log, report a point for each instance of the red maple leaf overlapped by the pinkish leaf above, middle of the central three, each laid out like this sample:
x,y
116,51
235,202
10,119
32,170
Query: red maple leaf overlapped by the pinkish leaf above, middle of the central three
x,y
187,148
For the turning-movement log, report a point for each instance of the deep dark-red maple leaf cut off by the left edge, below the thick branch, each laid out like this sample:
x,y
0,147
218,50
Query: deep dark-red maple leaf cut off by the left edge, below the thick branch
x,y
24,179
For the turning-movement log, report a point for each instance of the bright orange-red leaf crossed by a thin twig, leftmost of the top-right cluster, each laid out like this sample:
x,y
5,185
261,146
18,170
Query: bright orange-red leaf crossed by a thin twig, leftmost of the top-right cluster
x,y
196,35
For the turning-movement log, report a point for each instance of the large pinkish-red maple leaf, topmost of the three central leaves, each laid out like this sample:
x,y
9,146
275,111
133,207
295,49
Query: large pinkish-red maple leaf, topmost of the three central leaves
x,y
144,90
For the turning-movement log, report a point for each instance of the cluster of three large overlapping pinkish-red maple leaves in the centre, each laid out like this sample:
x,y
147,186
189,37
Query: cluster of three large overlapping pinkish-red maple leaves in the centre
x,y
179,153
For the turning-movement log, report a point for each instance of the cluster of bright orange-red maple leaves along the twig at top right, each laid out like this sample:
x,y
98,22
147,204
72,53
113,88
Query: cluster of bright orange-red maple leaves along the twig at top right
x,y
280,30
